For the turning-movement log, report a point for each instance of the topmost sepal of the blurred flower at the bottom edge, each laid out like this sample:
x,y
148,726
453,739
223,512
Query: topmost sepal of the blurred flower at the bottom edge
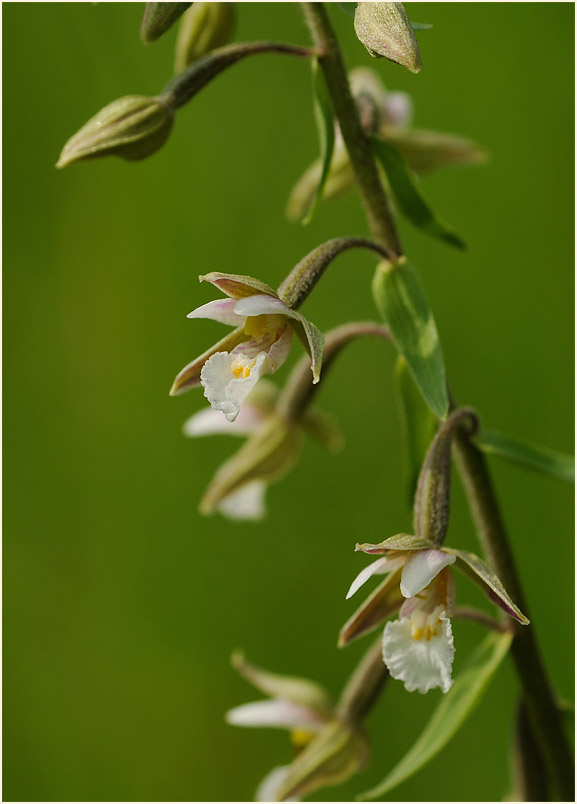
x,y
288,688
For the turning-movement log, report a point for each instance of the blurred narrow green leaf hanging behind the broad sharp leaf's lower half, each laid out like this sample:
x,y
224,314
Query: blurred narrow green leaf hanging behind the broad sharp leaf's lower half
x,y
418,424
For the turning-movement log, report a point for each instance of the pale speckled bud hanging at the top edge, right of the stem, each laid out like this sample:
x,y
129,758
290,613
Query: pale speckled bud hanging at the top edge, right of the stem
x,y
385,30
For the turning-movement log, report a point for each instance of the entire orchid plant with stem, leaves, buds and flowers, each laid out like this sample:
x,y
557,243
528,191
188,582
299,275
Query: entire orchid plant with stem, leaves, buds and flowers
x,y
366,139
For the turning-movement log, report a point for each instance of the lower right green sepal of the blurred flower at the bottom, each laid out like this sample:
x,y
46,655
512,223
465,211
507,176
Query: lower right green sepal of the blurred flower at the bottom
x,y
335,754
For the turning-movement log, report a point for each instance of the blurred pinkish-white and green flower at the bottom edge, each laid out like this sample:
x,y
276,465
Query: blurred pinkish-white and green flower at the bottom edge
x,y
329,749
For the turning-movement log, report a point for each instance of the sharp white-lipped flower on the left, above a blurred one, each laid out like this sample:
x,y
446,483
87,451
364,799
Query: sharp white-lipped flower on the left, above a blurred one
x,y
259,344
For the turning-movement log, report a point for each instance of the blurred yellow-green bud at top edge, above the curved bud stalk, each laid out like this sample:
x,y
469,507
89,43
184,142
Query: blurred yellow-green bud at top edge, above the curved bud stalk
x,y
204,27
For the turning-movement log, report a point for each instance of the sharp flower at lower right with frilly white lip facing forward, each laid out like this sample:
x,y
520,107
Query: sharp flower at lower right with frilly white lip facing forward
x,y
418,648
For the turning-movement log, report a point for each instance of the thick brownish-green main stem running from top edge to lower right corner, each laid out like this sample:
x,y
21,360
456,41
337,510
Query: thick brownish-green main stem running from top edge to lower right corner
x,y
539,697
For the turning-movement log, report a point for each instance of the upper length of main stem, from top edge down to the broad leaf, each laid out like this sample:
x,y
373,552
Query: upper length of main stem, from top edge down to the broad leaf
x,y
377,209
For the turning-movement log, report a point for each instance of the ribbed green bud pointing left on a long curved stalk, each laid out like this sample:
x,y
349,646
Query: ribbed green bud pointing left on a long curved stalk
x,y
133,127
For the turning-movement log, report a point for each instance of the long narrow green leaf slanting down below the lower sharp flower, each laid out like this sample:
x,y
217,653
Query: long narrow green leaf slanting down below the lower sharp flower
x,y
453,710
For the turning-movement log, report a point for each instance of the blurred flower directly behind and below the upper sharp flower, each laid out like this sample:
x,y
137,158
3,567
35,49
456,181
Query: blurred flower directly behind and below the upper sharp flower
x,y
273,447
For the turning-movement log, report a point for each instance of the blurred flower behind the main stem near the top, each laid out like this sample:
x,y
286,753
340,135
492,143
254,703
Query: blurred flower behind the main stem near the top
x,y
387,115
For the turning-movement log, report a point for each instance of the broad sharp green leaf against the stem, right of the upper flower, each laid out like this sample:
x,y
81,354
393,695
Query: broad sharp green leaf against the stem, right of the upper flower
x,y
401,301
